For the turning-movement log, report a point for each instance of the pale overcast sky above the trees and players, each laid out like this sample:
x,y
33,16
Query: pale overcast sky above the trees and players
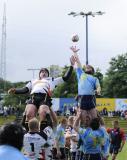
x,y
39,34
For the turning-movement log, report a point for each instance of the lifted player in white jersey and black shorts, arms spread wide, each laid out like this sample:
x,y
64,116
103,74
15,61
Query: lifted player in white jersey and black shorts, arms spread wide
x,y
40,91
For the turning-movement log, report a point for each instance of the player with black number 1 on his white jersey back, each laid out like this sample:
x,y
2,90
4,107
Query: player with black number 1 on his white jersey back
x,y
35,142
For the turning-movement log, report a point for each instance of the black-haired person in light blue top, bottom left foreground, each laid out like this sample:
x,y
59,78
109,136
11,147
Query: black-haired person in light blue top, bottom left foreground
x,y
11,142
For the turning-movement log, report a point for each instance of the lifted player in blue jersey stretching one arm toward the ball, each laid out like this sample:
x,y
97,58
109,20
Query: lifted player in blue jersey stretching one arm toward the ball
x,y
87,86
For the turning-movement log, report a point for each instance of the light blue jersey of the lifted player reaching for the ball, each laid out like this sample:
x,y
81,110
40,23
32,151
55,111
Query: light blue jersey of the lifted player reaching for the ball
x,y
87,84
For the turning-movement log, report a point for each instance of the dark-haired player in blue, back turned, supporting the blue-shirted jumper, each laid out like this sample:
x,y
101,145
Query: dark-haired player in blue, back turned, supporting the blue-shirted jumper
x,y
93,141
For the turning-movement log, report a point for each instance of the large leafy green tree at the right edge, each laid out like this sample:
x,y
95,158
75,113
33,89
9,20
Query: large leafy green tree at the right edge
x,y
115,82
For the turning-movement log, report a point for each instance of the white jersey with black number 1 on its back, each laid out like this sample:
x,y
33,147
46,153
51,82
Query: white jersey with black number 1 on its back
x,y
34,143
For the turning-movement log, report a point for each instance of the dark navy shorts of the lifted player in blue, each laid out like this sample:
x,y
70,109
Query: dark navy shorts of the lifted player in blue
x,y
87,102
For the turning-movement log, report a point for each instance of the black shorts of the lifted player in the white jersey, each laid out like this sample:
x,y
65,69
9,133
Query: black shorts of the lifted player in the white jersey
x,y
39,99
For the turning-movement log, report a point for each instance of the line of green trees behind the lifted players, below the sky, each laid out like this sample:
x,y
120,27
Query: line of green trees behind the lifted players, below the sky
x,y
113,83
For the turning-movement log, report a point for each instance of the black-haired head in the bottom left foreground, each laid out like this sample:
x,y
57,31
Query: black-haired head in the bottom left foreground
x,y
12,134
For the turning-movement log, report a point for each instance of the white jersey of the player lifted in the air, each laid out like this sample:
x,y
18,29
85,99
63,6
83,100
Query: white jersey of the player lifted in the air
x,y
44,85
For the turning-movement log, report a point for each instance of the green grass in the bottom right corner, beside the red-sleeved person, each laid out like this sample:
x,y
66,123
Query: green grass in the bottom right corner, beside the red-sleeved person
x,y
123,154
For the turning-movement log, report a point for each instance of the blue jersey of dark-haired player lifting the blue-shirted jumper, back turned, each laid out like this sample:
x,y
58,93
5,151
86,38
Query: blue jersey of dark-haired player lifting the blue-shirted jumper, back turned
x,y
92,141
